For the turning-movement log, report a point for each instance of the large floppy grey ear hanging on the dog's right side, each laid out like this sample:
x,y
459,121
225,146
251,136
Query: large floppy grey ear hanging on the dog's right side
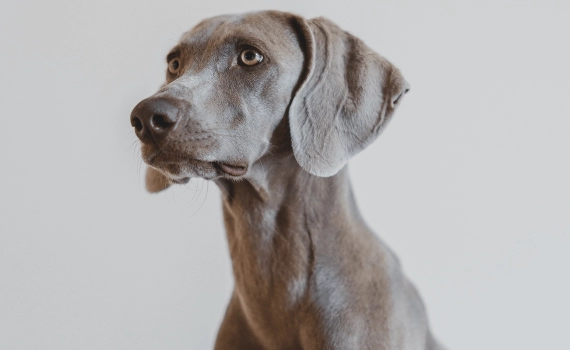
x,y
346,96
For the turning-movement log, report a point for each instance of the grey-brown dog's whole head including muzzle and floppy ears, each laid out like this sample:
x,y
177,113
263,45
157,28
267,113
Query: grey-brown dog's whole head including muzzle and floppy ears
x,y
234,81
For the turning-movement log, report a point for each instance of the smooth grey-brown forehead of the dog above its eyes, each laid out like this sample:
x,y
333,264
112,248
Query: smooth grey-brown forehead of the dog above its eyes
x,y
270,29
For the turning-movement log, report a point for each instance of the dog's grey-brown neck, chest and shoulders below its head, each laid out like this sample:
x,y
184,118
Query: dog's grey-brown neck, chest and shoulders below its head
x,y
309,273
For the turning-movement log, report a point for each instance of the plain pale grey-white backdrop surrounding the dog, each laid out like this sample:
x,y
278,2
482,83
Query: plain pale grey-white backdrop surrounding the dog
x,y
469,184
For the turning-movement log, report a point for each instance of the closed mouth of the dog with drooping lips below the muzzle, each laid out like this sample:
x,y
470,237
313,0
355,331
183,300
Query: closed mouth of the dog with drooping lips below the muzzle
x,y
181,168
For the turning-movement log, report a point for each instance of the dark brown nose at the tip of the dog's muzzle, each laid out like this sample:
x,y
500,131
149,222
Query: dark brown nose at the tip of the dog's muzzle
x,y
154,118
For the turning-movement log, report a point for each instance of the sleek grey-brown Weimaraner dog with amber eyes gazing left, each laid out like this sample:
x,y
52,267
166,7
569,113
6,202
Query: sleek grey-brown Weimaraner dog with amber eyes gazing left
x,y
270,106
